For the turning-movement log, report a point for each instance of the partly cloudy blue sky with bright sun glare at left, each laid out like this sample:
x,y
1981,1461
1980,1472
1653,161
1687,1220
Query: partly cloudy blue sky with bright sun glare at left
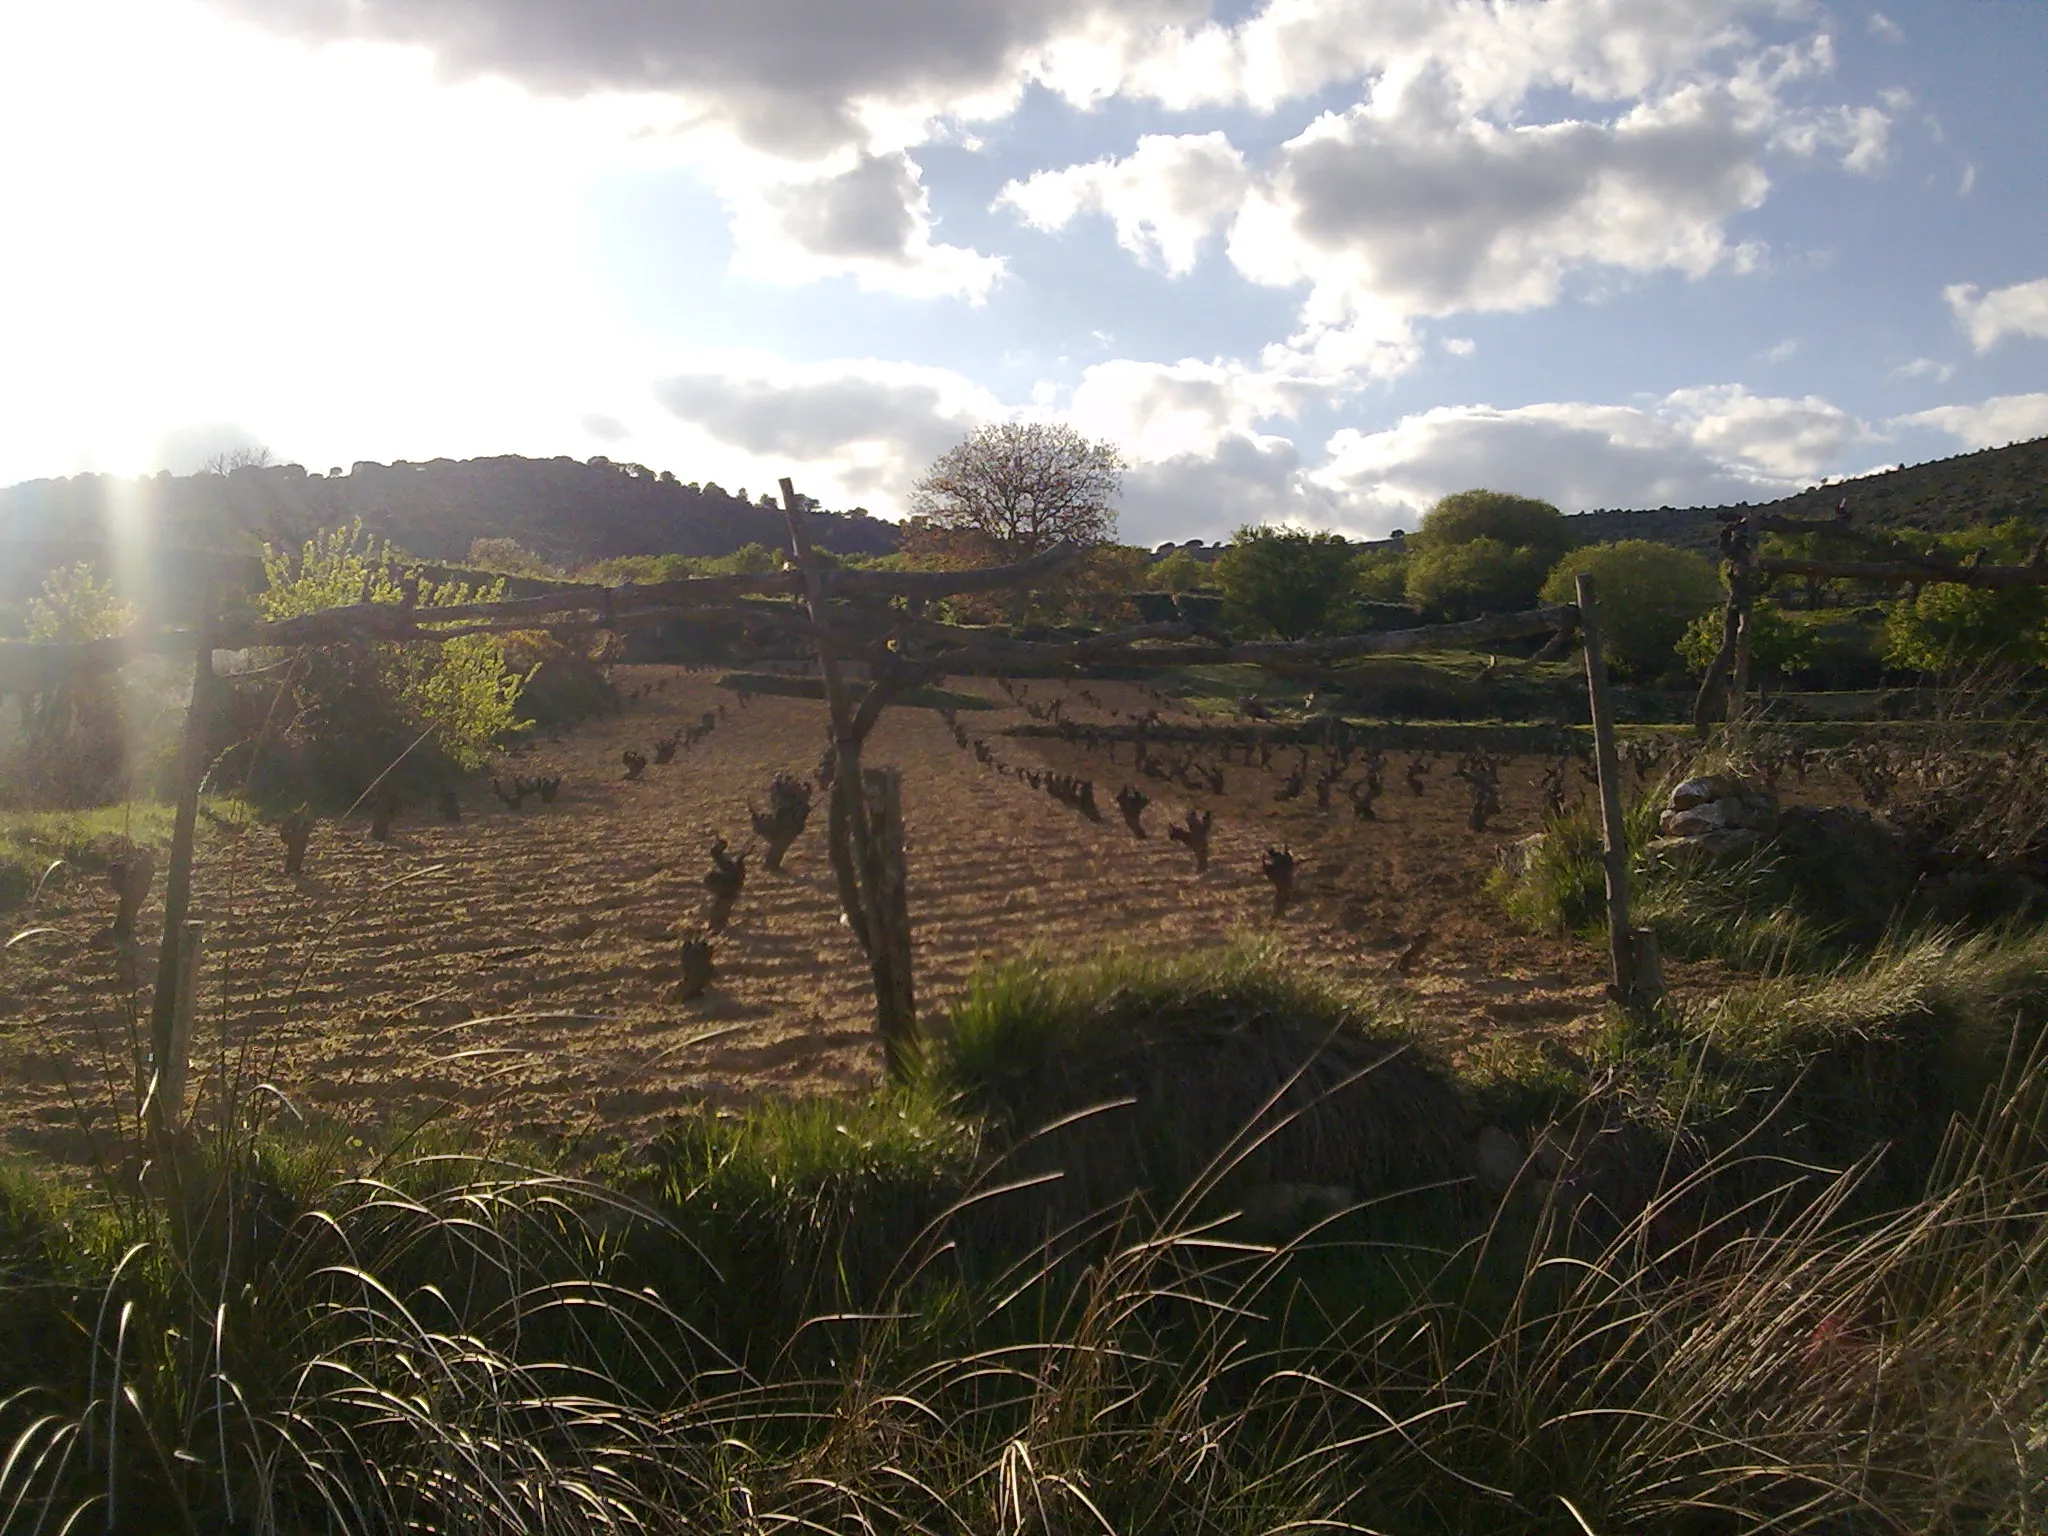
x,y
1302,261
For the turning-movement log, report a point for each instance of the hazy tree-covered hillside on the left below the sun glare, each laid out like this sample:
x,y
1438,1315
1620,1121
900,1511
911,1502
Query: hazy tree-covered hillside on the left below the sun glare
x,y
566,511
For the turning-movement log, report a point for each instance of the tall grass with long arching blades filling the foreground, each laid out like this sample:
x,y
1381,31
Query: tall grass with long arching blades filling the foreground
x,y
820,1318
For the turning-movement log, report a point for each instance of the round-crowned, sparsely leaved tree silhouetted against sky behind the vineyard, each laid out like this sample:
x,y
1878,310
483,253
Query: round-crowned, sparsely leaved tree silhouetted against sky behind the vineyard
x,y
1025,486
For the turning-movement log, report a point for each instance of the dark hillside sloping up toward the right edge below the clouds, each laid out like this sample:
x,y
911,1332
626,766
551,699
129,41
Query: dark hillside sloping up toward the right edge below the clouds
x,y
1969,490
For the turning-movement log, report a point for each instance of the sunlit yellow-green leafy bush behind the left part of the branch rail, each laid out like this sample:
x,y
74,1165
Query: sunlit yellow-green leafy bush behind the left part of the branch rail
x,y
364,708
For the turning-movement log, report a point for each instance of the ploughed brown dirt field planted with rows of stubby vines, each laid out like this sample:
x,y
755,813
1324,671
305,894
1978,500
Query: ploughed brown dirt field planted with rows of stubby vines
x,y
513,970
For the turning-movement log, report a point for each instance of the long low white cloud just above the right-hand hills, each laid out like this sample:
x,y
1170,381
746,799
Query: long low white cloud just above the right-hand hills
x,y
1695,447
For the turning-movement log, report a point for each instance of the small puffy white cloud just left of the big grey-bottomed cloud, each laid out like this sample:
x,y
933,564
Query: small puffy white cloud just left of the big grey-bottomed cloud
x,y
1164,200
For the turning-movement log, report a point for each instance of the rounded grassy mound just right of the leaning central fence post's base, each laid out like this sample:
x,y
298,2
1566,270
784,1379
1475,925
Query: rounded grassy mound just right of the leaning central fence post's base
x,y
1142,1076
